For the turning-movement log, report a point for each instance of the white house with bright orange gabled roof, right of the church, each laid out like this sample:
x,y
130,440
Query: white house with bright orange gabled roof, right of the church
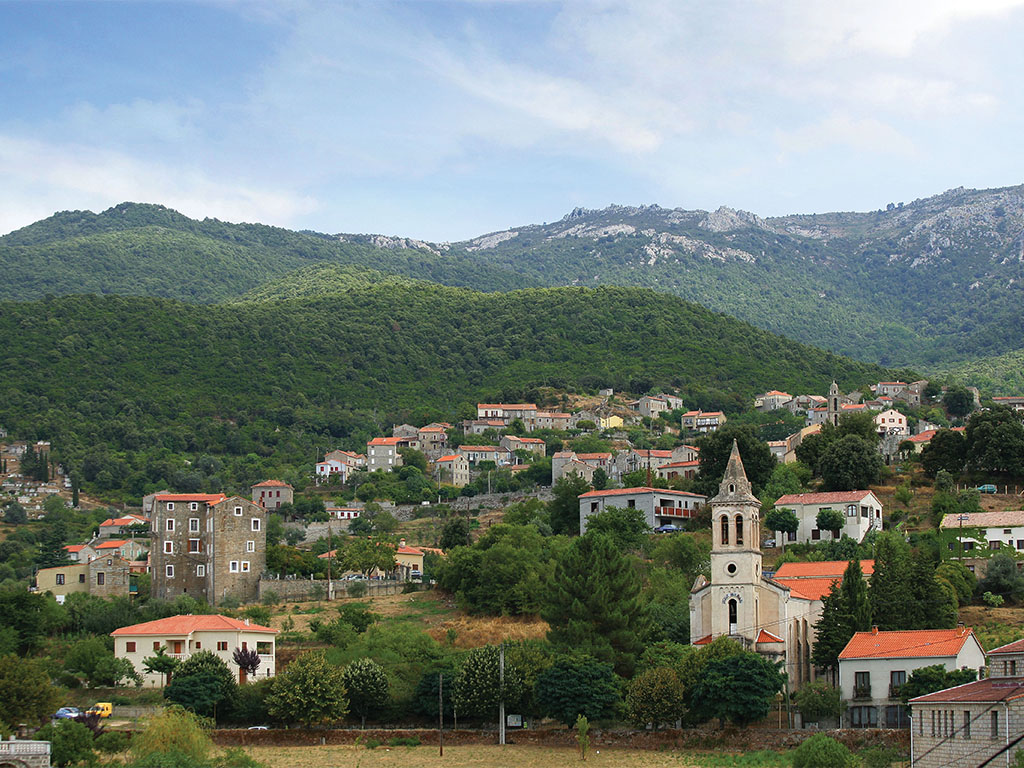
x,y
875,665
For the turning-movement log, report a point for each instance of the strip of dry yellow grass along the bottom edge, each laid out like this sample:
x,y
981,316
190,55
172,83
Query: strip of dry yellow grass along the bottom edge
x,y
457,757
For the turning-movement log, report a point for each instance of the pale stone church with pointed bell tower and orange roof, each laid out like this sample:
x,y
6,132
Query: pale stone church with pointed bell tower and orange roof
x,y
776,616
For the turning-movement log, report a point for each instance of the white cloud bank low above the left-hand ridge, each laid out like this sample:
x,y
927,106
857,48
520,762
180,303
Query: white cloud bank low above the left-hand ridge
x,y
42,178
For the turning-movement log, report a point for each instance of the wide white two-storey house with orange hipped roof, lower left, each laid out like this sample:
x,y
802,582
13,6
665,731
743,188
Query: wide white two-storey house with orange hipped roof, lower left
x,y
183,636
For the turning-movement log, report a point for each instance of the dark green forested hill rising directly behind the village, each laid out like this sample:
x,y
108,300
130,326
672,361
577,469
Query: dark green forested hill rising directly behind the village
x,y
127,389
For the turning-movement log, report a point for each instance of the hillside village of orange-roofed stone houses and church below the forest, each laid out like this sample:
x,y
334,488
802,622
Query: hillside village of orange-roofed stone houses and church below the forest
x,y
769,557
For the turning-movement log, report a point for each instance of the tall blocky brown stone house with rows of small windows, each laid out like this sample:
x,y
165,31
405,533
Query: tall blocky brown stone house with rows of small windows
x,y
207,546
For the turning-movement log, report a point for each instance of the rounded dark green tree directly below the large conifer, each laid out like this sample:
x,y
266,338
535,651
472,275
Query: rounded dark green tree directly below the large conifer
x,y
577,686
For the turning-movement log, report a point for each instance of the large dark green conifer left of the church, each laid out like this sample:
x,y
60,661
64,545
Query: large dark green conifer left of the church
x,y
593,604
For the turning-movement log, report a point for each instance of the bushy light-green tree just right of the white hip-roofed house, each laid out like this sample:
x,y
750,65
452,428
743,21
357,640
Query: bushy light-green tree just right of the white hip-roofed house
x,y
311,692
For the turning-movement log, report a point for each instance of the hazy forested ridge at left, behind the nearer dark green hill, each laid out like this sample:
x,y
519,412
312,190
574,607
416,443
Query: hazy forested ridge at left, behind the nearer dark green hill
x,y
146,250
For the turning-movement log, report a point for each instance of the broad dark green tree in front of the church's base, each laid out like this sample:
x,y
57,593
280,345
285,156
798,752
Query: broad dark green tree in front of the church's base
x,y
739,690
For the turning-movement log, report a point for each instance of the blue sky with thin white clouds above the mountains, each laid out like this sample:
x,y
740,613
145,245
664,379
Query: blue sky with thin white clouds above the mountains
x,y
447,120
